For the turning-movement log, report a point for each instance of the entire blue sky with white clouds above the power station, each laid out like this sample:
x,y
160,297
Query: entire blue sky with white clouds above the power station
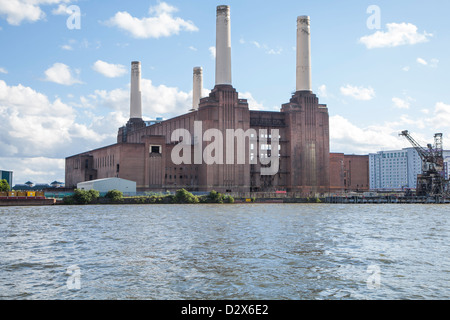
x,y
64,91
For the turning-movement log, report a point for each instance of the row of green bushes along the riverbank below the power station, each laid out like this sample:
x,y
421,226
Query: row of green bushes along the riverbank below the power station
x,y
83,197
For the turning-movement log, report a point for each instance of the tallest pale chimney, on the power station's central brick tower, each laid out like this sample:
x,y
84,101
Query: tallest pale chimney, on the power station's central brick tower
x,y
223,46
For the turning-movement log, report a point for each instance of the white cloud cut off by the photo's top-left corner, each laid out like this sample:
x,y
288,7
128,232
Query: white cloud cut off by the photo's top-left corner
x,y
17,11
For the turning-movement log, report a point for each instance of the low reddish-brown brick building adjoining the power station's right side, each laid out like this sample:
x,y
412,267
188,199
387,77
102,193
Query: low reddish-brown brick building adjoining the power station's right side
x,y
349,173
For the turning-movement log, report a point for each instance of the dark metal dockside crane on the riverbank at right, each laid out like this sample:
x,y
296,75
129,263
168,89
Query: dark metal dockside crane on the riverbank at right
x,y
432,181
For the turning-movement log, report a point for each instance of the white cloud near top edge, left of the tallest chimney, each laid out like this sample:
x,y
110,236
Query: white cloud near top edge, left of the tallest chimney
x,y
160,24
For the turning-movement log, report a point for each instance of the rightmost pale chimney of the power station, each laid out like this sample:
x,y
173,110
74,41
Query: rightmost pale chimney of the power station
x,y
303,54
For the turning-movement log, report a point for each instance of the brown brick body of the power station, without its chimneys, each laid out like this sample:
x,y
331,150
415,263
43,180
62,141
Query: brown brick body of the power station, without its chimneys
x,y
143,153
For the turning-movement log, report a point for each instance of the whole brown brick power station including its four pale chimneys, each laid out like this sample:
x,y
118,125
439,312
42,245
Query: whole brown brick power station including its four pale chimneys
x,y
280,151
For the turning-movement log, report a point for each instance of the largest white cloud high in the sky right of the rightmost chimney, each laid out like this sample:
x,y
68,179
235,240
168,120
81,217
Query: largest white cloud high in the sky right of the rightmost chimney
x,y
397,34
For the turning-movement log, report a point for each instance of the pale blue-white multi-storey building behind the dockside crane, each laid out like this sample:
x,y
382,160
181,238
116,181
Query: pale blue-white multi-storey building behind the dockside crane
x,y
397,170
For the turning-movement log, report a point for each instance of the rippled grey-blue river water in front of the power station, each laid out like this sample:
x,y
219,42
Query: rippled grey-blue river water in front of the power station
x,y
232,252
